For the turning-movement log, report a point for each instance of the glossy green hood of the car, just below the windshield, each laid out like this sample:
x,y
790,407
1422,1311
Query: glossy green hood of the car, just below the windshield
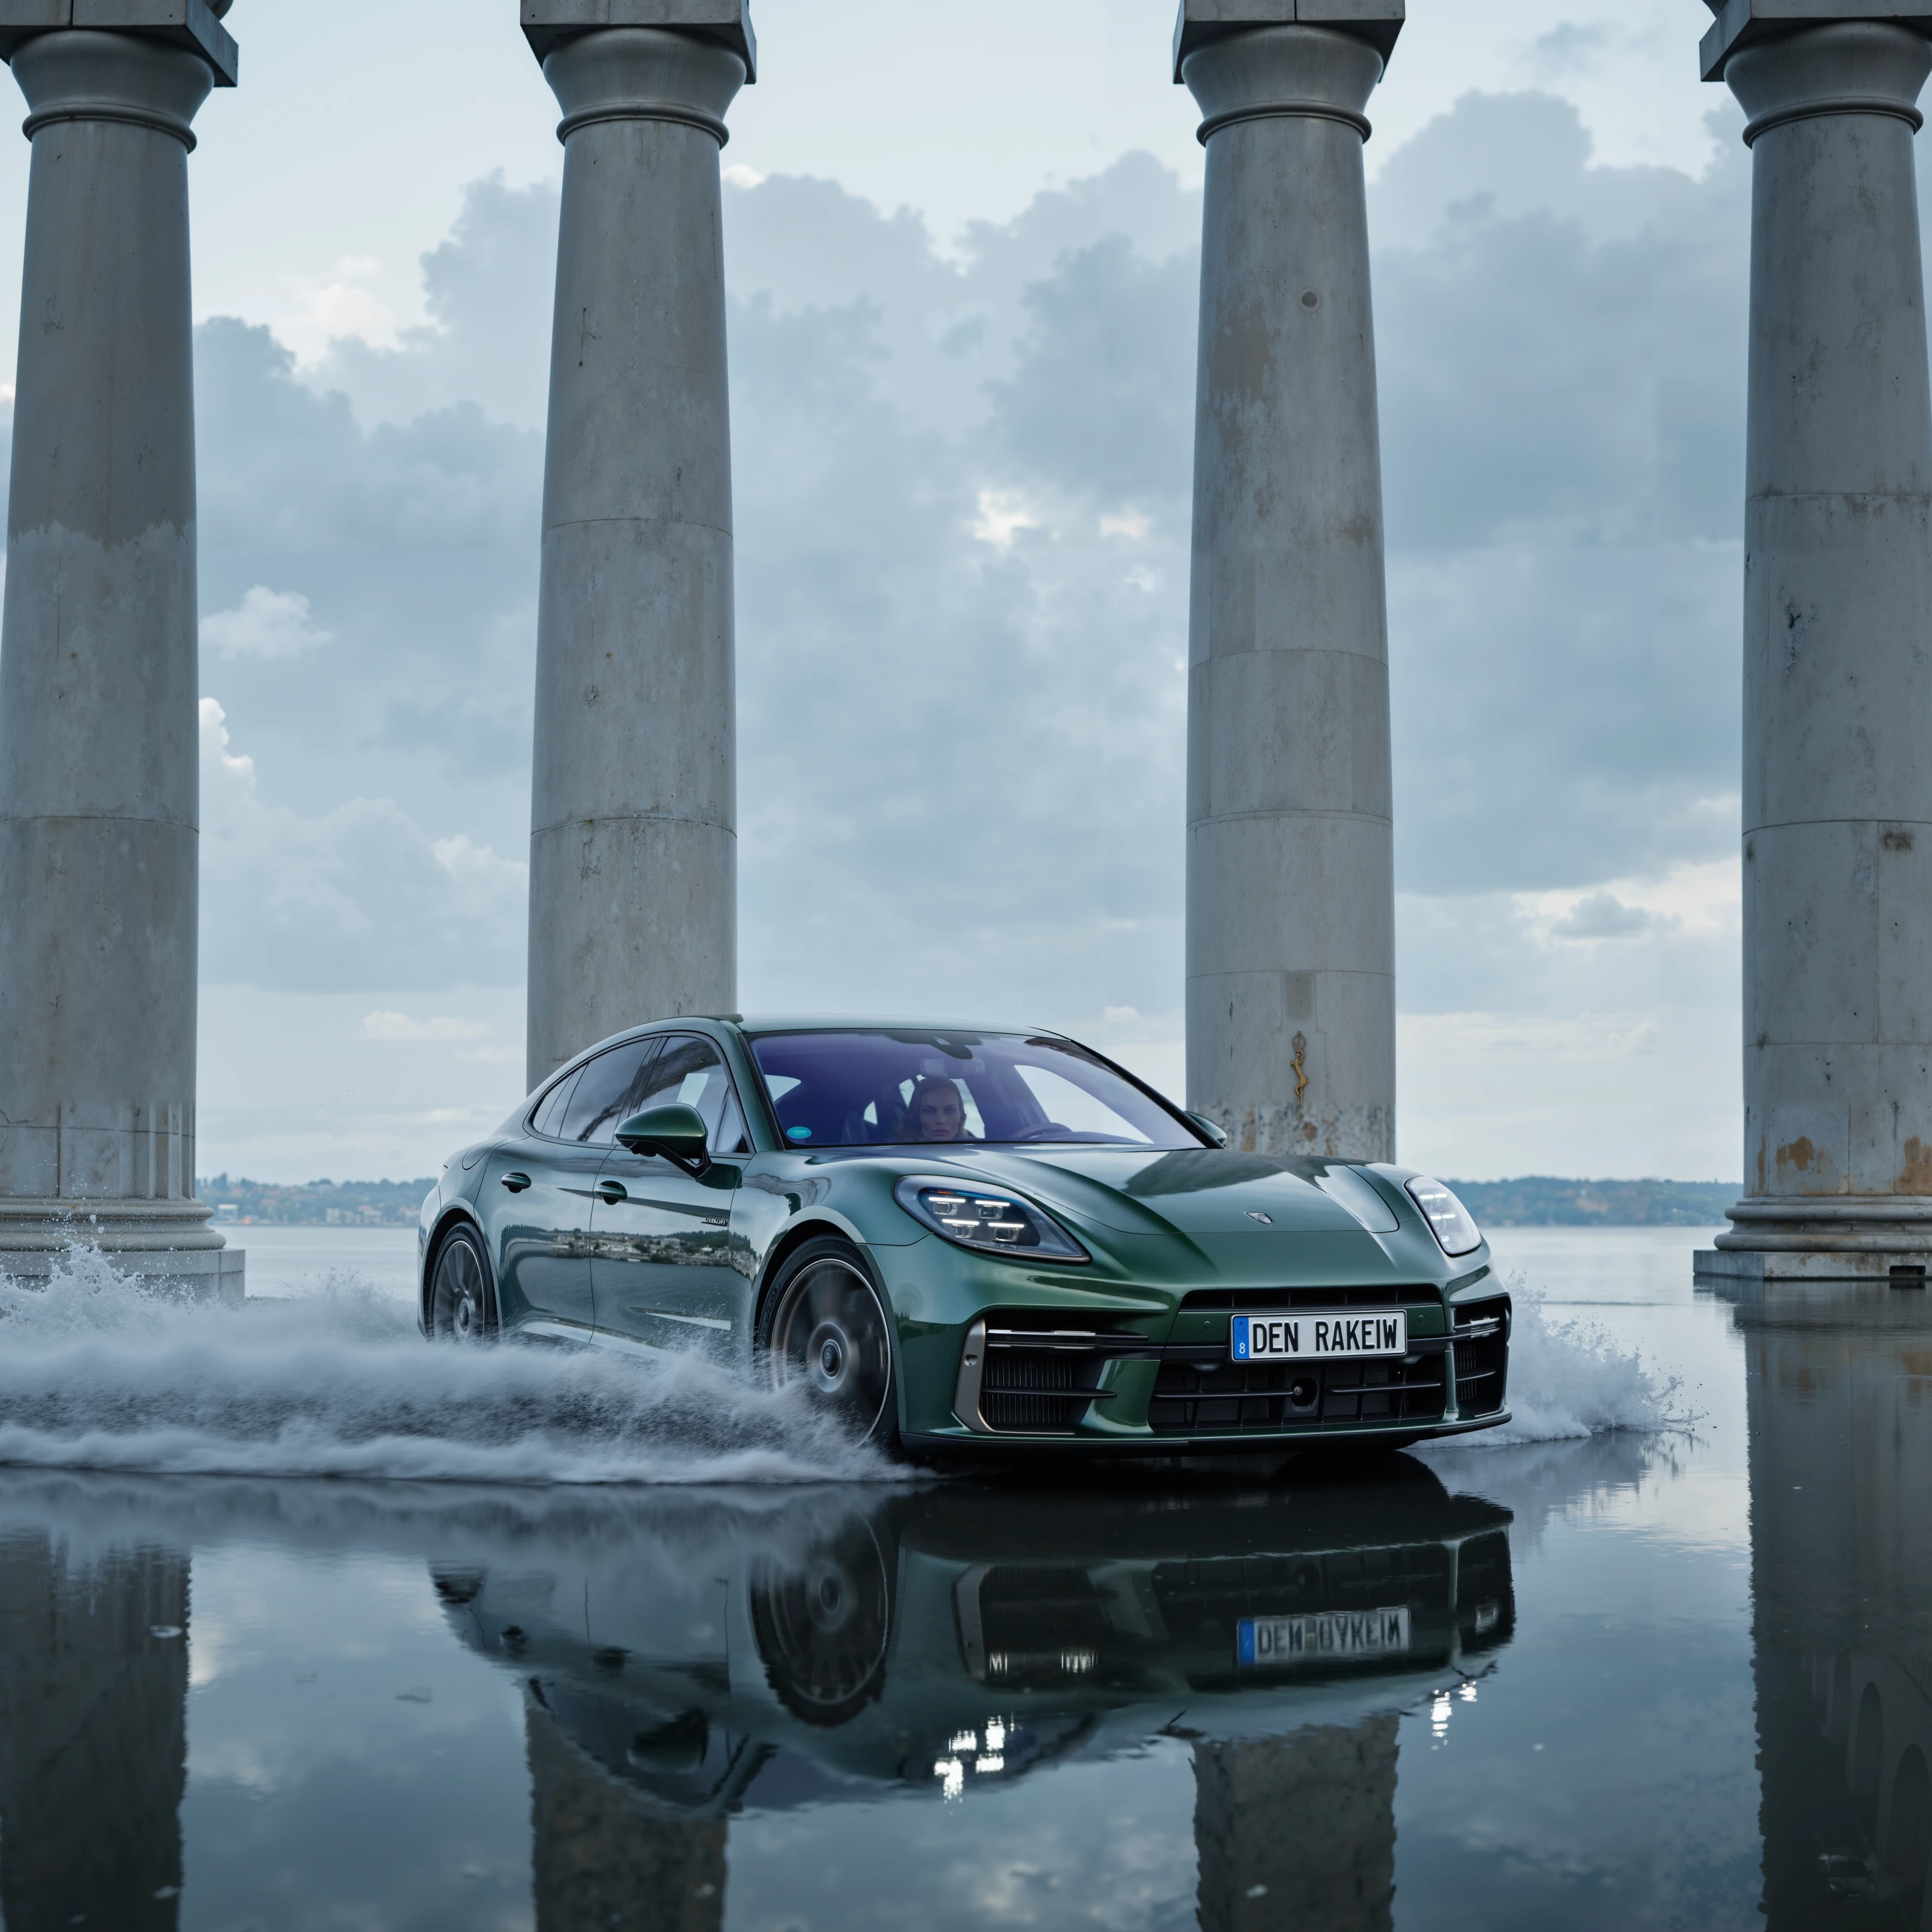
x,y
1195,1193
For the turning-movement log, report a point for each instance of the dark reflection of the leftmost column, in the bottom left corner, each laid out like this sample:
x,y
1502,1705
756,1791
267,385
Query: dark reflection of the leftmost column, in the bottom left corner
x,y
94,1736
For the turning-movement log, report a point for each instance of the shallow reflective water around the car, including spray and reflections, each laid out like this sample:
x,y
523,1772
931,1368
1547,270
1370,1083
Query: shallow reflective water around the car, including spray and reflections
x,y
648,1655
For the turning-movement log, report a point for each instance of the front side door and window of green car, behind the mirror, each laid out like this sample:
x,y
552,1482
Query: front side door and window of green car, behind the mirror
x,y
664,1261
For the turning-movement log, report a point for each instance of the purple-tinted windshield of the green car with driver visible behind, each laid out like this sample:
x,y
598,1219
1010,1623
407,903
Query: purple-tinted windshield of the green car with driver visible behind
x,y
888,1087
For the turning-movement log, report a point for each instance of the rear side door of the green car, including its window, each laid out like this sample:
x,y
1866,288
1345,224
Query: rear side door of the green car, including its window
x,y
542,1230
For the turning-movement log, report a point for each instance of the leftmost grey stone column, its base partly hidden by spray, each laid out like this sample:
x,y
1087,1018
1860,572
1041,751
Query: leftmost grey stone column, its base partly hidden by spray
x,y
99,789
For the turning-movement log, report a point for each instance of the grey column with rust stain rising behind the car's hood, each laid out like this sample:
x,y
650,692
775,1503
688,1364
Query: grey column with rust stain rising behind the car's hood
x,y
1292,876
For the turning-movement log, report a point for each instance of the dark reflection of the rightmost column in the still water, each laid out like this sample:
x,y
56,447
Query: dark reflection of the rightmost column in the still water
x,y
1840,1409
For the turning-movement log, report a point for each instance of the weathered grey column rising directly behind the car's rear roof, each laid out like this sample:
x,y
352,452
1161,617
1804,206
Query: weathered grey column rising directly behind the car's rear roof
x,y
633,845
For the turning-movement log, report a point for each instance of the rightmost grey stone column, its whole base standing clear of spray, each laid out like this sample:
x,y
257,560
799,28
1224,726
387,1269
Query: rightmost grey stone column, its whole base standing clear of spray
x,y
1838,650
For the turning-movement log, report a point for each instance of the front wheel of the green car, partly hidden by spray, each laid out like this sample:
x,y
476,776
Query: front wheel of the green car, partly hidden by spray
x,y
828,1326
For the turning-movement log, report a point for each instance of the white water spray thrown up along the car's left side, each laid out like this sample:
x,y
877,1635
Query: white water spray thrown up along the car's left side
x,y
99,1373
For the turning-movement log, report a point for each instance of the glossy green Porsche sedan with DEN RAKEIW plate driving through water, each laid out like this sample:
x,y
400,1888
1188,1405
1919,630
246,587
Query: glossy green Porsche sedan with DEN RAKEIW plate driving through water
x,y
965,1239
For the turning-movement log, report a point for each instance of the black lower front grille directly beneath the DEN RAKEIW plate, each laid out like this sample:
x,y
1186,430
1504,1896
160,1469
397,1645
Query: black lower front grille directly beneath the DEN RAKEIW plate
x,y
1212,1398
